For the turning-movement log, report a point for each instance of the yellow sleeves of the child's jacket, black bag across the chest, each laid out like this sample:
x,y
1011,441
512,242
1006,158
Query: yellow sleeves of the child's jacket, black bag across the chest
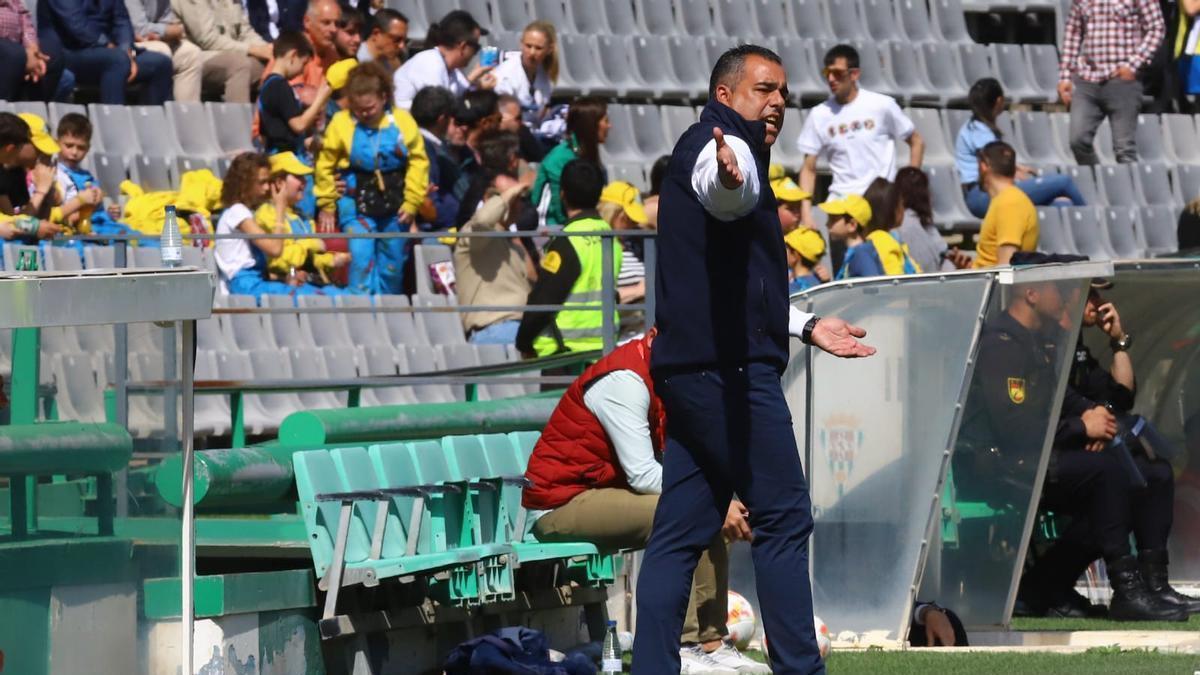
x,y
335,156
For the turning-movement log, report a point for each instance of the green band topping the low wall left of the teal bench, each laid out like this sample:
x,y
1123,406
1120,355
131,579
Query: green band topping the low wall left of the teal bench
x,y
223,595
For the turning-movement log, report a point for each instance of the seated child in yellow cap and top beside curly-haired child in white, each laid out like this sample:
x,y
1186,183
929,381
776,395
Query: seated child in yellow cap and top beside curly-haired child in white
x,y
302,261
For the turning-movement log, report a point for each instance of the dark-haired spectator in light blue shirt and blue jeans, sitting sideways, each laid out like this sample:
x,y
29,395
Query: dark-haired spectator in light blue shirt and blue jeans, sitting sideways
x,y
987,101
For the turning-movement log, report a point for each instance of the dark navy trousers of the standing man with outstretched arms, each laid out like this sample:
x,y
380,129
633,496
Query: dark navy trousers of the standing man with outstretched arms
x,y
729,432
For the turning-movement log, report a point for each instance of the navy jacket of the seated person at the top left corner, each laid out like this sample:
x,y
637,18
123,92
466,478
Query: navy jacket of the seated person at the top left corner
x,y
80,25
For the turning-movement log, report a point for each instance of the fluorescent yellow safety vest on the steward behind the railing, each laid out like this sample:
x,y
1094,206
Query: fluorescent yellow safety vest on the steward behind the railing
x,y
583,330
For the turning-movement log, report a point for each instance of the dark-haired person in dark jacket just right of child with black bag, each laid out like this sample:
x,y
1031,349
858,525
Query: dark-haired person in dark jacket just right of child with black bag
x,y
434,114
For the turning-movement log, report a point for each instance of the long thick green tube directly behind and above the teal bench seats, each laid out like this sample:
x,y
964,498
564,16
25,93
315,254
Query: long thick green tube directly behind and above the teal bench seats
x,y
423,421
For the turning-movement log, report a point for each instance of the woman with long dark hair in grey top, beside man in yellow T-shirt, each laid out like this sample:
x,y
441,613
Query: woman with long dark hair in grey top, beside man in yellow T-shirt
x,y
915,212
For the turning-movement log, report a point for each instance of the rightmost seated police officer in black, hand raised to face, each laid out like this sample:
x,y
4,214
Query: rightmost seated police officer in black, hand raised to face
x,y
1151,481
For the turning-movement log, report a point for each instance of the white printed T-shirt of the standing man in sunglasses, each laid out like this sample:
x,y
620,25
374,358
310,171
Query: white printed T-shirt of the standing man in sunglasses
x,y
859,140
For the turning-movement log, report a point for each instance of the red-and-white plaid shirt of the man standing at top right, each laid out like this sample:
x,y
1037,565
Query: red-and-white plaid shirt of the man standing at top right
x,y
1103,35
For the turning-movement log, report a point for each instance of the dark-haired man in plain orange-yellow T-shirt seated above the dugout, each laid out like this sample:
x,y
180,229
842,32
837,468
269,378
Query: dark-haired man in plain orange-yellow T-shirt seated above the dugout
x,y
1012,220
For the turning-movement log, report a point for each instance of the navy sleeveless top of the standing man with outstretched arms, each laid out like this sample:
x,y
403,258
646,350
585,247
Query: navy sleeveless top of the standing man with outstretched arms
x,y
722,288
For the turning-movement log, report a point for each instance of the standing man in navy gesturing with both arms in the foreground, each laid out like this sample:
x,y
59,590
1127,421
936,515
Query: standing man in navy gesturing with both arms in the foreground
x,y
724,324
